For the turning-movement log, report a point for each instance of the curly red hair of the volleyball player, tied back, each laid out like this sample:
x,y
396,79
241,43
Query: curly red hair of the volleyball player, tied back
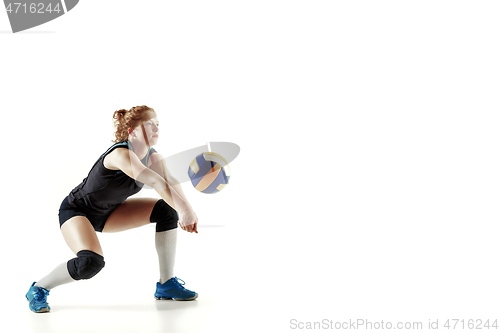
x,y
125,119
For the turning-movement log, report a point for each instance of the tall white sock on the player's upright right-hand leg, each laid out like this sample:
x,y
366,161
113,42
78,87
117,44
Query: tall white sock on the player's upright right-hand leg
x,y
166,243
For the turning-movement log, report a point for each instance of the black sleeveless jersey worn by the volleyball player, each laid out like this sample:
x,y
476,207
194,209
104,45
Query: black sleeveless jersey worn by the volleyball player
x,y
104,189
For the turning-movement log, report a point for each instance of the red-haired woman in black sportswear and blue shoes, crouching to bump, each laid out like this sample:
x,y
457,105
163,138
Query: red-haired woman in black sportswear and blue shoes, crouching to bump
x,y
100,204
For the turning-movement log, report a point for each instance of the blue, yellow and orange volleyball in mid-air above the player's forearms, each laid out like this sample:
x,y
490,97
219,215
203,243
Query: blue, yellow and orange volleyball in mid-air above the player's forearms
x,y
209,172
